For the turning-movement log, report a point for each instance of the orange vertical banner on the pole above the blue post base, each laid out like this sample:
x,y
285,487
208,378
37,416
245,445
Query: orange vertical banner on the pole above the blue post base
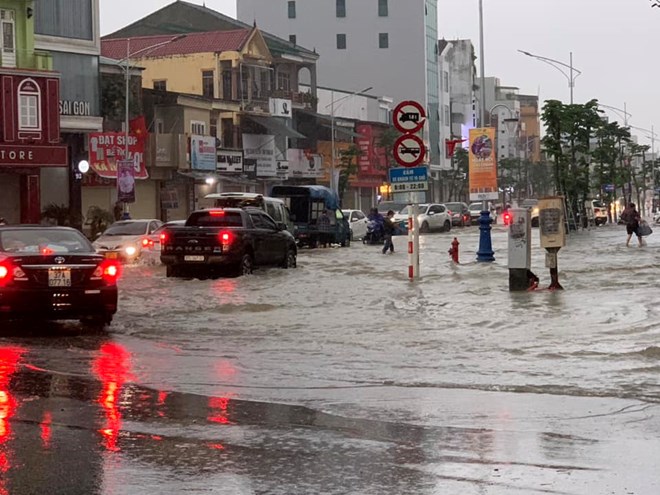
x,y
483,165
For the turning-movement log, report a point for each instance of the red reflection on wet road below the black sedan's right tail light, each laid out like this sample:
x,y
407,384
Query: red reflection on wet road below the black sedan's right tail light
x,y
113,368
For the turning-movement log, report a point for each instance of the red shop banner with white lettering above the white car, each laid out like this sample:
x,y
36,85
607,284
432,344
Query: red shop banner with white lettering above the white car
x,y
107,148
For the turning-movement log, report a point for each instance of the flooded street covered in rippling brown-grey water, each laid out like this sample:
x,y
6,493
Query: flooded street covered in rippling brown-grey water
x,y
342,377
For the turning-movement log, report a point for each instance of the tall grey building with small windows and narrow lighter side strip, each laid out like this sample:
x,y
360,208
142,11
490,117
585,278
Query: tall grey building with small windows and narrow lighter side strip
x,y
389,45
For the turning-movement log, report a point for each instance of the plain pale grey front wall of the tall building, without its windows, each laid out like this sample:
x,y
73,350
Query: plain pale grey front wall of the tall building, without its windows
x,y
397,71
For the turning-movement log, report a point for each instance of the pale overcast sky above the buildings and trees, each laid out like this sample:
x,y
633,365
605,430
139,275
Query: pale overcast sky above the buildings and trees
x,y
614,44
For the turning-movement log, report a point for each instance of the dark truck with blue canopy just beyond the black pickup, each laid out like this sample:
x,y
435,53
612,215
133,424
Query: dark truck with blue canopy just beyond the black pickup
x,y
306,204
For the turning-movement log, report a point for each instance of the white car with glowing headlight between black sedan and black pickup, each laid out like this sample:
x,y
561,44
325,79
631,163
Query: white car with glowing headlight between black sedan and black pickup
x,y
125,239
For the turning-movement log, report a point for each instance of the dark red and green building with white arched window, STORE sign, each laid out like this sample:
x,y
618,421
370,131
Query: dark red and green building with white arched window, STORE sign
x,y
33,163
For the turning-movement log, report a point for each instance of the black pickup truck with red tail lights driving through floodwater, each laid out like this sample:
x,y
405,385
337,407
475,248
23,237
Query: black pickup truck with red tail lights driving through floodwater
x,y
218,240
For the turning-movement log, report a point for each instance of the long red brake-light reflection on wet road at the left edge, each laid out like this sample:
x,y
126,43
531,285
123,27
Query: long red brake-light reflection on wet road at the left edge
x,y
9,358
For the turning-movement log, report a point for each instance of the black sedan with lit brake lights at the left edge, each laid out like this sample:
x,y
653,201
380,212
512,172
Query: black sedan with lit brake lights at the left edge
x,y
54,273
